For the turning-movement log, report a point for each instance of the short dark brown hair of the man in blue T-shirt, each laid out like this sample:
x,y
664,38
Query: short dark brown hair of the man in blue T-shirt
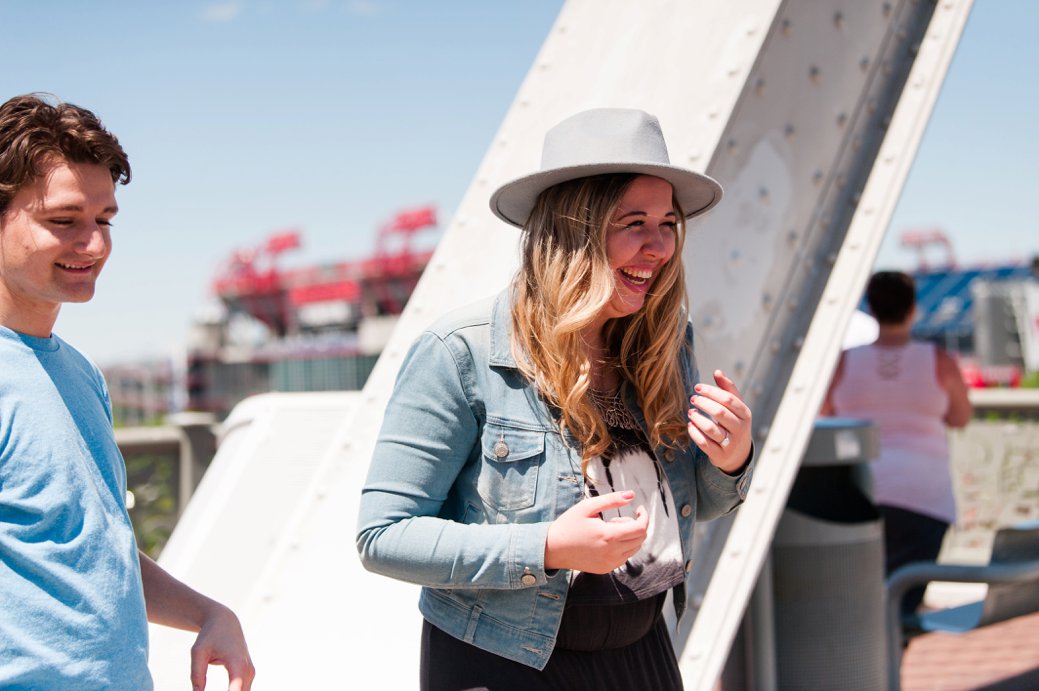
x,y
34,132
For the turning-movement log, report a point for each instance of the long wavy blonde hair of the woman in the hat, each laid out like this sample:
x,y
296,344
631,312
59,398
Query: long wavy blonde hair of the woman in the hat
x,y
564,283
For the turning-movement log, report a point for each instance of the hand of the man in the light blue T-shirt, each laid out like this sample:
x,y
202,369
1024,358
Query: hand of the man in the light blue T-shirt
x,y
222,643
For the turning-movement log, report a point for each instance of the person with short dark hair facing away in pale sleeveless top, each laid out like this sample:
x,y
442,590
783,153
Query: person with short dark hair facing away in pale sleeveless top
x,y
913,391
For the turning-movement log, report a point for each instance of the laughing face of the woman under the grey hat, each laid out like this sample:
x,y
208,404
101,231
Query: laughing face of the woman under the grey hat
x,y
641,240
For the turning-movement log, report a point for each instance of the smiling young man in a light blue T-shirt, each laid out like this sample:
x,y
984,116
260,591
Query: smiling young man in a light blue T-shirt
x,y
75,592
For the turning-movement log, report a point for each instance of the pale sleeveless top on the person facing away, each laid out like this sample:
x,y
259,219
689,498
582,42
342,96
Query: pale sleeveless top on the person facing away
x,y
898,389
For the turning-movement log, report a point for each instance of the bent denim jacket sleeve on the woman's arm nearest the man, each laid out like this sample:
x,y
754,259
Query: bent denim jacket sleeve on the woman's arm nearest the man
x,y
407,528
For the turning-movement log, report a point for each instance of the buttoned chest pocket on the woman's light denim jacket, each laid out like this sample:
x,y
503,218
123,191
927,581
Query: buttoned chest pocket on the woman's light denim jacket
x,y
513,460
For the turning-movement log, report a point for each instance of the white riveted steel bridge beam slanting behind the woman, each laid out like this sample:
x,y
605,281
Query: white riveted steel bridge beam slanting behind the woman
x,y
808,112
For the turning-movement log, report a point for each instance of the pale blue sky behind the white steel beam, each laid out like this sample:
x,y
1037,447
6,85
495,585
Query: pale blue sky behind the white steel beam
x,y
247,118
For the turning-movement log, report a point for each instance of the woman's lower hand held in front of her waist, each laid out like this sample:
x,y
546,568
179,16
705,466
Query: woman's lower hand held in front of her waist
x,y
581,540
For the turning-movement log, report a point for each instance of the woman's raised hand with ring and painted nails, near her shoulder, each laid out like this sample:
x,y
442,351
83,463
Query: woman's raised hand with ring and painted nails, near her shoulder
x,y
726,435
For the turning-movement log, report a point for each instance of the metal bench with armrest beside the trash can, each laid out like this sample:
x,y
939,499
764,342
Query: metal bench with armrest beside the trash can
x,y
1013,576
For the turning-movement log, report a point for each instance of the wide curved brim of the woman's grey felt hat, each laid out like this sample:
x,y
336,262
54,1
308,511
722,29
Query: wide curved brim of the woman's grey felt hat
x,y
514,202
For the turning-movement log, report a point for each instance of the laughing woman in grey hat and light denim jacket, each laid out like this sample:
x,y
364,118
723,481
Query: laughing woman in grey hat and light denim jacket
x,y
545,455
